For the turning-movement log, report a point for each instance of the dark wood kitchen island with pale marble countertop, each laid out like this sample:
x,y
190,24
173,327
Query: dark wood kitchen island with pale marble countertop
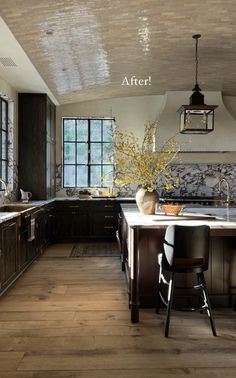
x,y
142,239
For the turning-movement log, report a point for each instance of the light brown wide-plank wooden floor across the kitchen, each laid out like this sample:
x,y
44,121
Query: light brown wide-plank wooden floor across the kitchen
x,y
68,317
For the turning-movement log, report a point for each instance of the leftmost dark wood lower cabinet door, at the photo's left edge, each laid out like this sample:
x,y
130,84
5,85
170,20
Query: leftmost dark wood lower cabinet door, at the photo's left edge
x,y
8,251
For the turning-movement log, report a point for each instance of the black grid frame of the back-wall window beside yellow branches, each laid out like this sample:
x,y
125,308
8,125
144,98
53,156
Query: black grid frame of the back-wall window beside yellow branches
x,y
89,141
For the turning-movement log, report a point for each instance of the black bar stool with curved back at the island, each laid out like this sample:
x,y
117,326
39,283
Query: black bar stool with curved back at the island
x,y
186,250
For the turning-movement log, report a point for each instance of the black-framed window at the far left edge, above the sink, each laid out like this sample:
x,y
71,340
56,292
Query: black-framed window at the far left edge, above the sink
x,y
3,130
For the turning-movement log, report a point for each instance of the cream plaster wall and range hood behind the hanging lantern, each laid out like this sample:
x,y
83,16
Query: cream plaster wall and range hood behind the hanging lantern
x,y
132,113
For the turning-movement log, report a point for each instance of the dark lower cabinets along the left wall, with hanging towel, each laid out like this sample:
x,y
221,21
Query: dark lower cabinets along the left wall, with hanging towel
x,y
22,239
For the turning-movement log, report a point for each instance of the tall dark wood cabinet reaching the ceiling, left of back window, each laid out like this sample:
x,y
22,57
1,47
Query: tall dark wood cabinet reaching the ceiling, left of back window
x,y
36,123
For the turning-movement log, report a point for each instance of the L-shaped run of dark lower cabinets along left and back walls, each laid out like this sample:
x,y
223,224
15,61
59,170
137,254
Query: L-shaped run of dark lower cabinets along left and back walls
x,y
27,235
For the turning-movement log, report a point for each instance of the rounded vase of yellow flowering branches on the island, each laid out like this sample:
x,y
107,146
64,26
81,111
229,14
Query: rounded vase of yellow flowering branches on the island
x,y
145,164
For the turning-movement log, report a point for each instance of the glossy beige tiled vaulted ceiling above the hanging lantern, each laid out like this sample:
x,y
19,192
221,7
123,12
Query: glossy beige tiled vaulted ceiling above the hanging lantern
x,y
83,49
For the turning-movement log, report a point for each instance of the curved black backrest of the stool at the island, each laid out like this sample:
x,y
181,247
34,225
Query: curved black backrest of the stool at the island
x,y
186,242
